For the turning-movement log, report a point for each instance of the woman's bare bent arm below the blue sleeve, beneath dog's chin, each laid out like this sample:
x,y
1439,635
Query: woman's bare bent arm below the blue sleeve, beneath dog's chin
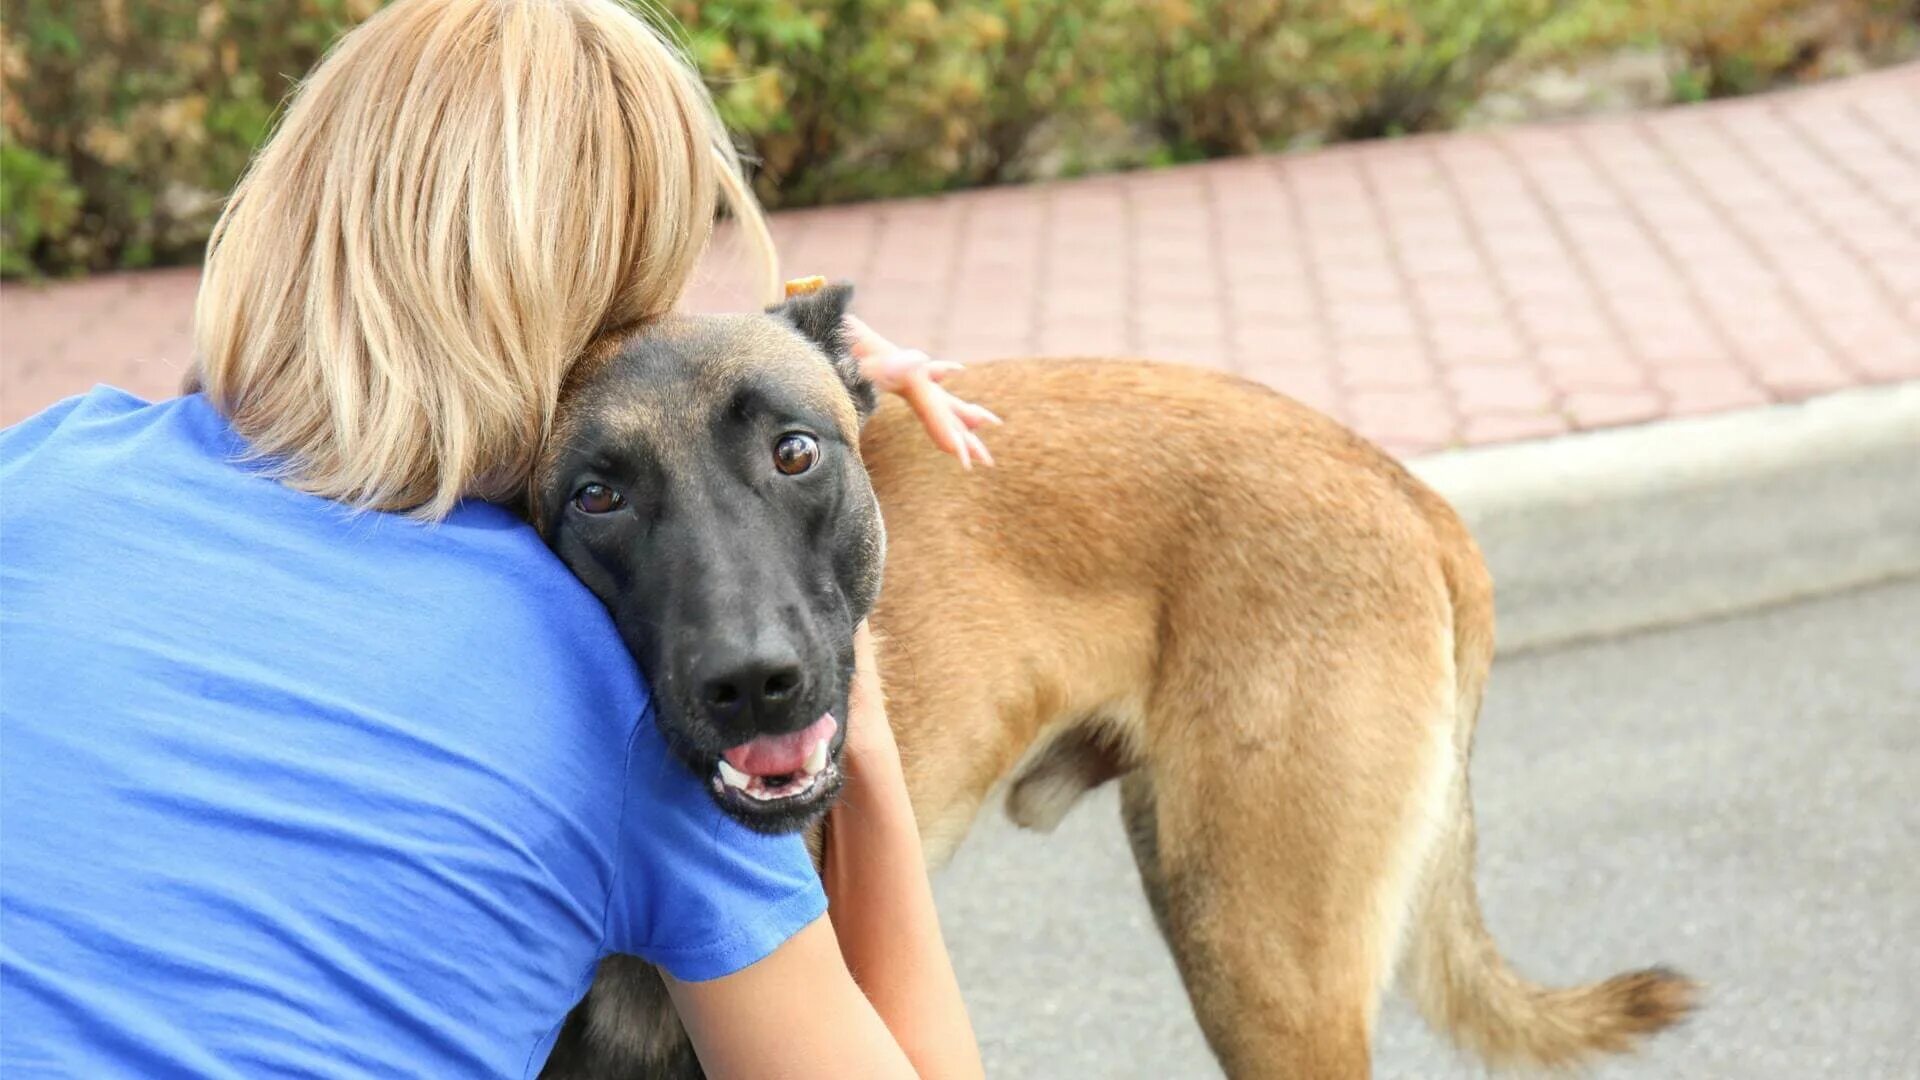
x,y
871,991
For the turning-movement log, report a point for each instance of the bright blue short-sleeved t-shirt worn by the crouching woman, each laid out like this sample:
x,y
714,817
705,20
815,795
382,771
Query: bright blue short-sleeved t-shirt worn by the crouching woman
x,y
289,791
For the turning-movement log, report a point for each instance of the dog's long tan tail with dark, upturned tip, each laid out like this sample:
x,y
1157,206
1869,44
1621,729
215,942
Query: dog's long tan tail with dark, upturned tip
x,y
1452,968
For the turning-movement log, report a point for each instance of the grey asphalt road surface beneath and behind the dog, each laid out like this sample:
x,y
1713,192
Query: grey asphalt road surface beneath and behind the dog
x,y
1739,798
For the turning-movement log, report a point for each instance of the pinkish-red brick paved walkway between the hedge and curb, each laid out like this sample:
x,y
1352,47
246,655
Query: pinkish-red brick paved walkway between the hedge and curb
x,y
1437,291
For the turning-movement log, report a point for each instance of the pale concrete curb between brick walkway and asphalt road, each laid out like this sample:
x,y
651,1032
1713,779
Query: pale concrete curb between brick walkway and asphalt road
x,y
1616,531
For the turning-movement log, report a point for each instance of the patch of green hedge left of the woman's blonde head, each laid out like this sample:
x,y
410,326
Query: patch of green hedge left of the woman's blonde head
x,y
147,110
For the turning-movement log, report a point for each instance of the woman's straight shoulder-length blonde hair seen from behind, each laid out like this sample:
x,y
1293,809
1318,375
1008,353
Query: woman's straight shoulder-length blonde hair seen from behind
x,y
460,199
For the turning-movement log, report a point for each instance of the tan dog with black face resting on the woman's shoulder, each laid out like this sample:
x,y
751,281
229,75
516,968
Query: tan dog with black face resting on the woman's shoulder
x,y
1260,626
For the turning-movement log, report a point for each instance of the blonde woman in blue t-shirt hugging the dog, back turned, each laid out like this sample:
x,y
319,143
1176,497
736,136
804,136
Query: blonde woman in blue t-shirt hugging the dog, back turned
x,y
316,760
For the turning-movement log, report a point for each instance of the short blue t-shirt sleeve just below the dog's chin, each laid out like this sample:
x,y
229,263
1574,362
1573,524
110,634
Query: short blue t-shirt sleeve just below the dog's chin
x,y
696,893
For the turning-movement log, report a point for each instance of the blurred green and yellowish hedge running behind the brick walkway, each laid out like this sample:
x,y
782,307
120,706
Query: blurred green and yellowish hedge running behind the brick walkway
x,y
128,120
